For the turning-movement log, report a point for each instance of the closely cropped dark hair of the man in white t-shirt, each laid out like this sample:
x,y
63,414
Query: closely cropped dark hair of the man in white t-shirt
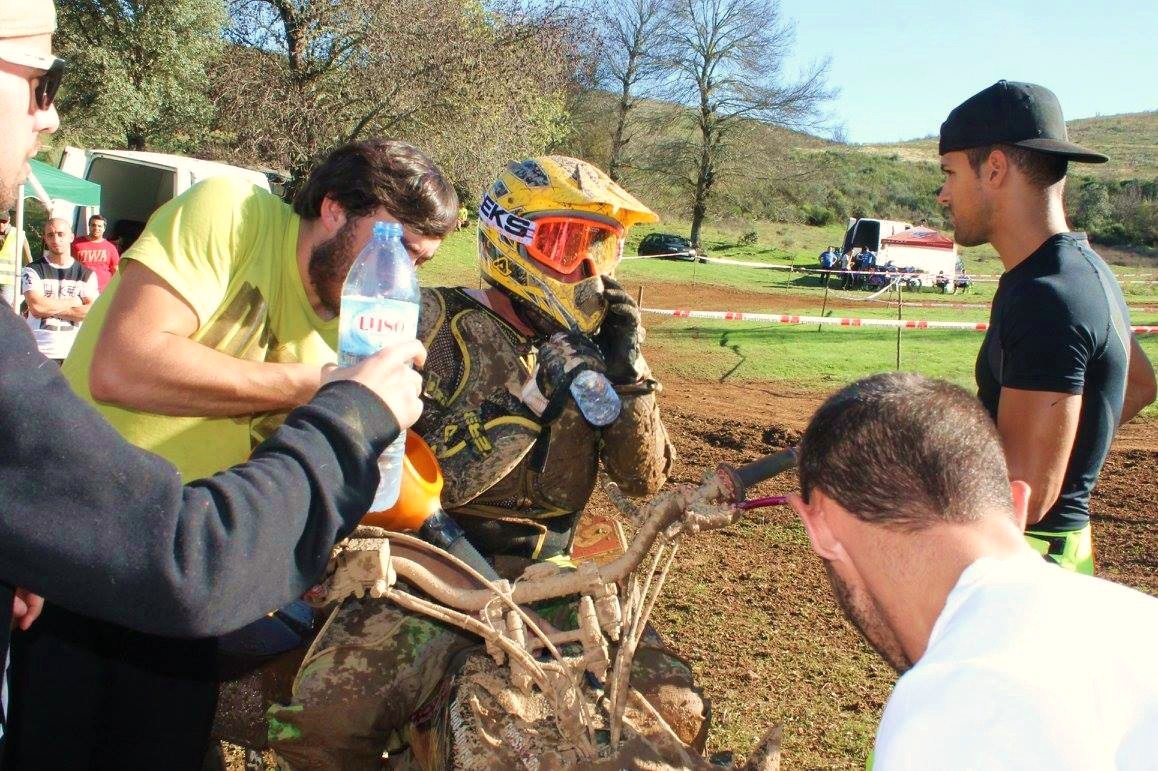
x,y
907,452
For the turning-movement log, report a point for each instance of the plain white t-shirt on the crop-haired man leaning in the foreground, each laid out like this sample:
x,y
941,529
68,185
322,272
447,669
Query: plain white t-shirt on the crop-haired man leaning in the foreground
x,y
1030,667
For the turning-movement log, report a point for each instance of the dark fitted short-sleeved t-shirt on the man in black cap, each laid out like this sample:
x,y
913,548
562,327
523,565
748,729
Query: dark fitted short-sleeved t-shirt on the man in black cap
x,y
1060,324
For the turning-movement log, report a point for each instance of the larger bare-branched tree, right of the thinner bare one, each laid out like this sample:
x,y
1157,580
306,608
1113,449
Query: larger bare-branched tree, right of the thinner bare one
x,y
728,64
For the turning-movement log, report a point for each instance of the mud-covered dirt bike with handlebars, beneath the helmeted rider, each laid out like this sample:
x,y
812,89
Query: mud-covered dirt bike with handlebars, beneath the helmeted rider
x,y
541,697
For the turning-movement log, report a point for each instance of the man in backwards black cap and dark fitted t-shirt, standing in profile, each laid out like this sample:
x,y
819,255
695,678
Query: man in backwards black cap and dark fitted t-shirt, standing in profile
x,y
1059,370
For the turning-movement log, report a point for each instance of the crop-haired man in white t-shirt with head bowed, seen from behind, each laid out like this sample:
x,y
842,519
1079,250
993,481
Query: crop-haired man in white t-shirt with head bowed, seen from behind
x,y
1007,662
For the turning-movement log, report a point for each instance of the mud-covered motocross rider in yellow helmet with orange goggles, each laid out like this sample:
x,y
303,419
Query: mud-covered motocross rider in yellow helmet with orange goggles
x,y
519,459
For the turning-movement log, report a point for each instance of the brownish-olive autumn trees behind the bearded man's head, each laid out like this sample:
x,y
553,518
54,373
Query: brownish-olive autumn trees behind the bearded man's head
x,y
474,86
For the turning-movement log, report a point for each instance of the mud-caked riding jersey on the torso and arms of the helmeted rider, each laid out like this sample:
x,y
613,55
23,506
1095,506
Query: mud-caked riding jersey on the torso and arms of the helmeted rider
x,y
516,486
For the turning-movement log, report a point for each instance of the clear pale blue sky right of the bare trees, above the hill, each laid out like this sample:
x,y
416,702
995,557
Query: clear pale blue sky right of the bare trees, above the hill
x,y
903,65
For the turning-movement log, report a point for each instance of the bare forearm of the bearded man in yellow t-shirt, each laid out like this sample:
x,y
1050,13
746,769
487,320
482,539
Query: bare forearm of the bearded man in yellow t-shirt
x,y
179,377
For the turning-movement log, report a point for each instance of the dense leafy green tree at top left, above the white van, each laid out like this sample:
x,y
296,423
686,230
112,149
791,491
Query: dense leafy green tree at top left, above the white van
x,y
137,75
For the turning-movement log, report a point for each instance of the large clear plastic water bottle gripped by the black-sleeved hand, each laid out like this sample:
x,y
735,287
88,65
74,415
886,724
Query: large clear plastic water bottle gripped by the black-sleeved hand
x,y
380,304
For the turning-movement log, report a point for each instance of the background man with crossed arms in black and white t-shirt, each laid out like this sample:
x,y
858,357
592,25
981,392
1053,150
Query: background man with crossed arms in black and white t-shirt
x,y
58,292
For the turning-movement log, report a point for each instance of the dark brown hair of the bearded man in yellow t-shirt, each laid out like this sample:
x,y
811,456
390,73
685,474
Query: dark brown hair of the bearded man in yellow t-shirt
x,y
395,175
